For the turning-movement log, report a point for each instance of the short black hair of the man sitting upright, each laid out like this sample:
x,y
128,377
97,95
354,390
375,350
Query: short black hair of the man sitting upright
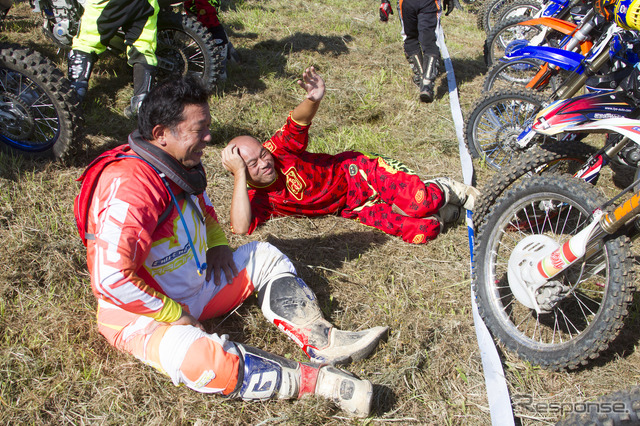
x,y
166,101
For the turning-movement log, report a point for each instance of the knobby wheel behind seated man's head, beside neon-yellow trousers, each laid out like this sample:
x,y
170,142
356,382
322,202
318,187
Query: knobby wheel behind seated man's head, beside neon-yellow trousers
x,y
186,47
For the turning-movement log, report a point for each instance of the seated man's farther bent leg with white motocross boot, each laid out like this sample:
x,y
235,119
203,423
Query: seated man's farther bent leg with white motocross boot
x,y
288,302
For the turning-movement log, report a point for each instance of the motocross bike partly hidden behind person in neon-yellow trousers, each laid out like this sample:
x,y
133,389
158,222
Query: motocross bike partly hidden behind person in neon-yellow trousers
x,y
184,45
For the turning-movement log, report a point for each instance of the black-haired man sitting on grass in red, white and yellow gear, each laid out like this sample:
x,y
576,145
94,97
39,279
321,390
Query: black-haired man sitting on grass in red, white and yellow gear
x,y
160,263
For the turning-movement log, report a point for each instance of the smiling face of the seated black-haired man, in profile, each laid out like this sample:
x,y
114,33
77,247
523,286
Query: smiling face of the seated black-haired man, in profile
x,y
186,142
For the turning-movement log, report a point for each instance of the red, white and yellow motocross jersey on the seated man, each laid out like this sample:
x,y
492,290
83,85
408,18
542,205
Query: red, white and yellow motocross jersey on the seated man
x,y
136,263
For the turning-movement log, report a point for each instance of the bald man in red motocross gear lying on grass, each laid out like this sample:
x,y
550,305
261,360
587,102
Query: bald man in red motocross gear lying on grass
x,y
284,179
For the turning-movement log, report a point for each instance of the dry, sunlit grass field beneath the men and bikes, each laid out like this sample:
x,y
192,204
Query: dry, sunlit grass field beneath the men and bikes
x,y
56,369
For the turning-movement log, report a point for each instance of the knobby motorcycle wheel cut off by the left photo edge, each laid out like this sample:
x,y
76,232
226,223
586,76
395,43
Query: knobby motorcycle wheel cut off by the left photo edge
x,y
38,115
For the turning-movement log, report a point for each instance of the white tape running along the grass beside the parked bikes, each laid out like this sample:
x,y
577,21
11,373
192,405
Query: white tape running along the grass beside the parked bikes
x,y
495,382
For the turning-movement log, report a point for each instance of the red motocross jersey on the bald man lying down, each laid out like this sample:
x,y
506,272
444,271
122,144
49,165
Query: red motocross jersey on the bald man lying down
x,y
308,184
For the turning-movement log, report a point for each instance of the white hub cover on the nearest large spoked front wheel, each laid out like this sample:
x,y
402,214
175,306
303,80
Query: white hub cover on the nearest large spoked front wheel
x,y
533,294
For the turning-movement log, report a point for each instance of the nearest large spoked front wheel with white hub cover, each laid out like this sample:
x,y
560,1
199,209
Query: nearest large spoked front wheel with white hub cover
x,y
583,308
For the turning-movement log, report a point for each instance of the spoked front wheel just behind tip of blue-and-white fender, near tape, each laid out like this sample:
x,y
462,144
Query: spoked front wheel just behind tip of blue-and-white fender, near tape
x,y
495,122
